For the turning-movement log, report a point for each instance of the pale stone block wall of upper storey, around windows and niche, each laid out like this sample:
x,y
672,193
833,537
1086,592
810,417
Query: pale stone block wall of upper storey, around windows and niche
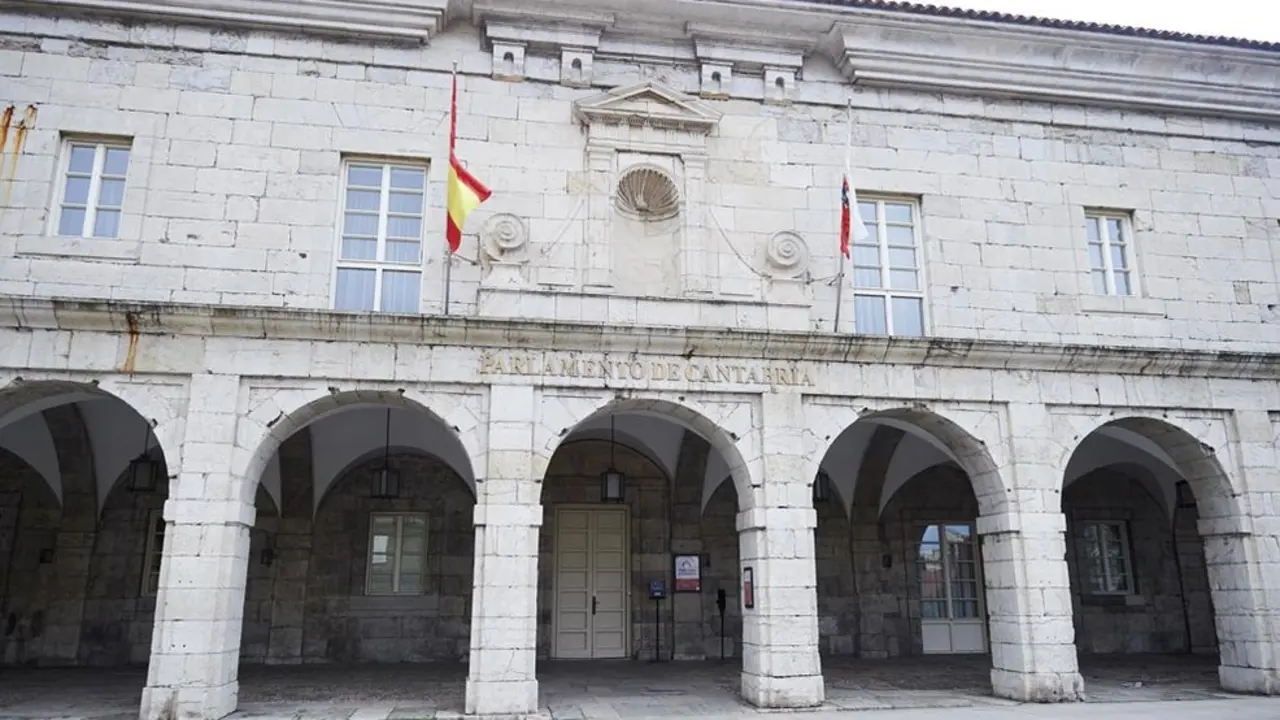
x,y
239,140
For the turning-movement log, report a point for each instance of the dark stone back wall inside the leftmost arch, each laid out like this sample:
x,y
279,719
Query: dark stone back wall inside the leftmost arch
x,y
71,585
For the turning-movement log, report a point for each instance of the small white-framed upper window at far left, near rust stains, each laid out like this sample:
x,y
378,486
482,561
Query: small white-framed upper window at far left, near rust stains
x,y
92,189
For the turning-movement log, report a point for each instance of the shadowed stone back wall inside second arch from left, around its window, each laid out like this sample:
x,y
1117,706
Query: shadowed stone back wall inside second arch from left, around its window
x,y
310,605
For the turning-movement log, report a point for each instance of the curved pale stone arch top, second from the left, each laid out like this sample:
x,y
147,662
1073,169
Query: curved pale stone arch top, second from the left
x,y
277,413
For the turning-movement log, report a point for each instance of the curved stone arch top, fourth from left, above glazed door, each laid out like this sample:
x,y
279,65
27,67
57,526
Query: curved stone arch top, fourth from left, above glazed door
x,y
954,436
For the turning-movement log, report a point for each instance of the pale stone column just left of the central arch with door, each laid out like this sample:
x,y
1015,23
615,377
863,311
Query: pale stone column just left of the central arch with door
x,y
505,599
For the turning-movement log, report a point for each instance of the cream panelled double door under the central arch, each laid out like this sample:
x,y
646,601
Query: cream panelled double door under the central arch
x,y
592,584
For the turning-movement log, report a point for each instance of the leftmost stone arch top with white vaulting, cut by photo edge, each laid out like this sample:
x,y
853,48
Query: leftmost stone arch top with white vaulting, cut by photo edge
x,y
109,409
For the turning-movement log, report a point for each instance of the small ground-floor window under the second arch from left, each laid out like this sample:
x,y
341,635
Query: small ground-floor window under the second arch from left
x,y
397,554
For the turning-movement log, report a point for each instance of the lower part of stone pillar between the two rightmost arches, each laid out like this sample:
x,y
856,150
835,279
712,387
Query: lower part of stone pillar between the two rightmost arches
x,y
1030,608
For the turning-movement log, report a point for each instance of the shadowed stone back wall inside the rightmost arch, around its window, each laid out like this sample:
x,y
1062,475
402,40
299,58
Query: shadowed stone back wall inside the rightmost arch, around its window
x,y
1172,586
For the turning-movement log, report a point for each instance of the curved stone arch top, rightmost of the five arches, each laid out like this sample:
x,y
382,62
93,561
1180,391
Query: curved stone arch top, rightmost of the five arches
x,y
1192,457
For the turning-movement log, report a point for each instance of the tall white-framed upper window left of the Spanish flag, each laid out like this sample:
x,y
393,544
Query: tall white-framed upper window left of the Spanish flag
x,y
381,238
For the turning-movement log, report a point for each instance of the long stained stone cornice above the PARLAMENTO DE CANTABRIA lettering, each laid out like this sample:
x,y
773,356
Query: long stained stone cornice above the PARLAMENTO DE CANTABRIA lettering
x,y
260,323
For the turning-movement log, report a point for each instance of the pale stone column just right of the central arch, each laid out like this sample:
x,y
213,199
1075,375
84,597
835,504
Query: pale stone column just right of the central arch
x,y
780,635
